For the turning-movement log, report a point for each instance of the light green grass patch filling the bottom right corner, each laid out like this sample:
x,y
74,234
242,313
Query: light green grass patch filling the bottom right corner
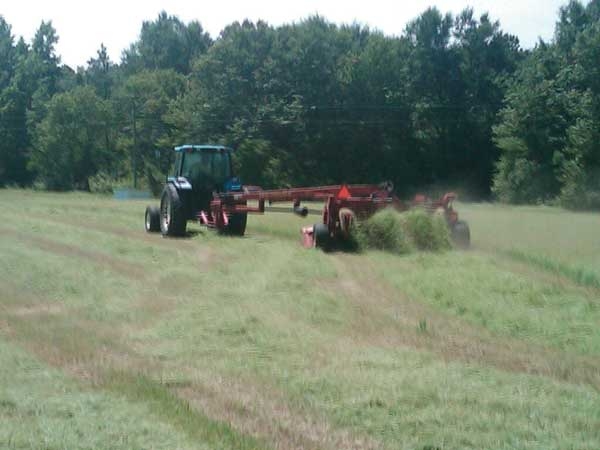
x,y
411,400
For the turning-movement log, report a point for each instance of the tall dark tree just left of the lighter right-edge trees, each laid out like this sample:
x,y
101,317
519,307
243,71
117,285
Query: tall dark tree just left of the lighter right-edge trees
x,y
487,59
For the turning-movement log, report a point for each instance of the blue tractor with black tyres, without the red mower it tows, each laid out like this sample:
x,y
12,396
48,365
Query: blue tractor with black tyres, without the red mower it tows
x,y
199,172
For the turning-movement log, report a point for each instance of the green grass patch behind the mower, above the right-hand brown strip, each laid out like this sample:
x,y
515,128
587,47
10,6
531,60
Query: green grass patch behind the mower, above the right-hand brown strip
x,y
493,296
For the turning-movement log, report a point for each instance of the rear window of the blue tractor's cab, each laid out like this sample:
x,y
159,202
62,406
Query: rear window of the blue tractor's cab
x,y
206,167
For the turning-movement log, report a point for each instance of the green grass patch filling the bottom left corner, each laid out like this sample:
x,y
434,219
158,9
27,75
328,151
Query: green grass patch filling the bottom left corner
x,y
41,407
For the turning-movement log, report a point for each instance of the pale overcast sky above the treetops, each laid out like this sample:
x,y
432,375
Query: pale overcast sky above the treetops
x,y
82,25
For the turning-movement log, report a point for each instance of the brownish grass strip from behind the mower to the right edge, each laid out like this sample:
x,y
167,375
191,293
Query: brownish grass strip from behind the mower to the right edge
x,y
386,317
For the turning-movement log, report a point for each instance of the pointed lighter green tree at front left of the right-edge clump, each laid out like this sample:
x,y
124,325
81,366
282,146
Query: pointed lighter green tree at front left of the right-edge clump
x,y
532,131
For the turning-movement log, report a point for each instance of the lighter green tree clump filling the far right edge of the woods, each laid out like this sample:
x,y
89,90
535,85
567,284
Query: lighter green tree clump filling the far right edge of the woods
x,y
548,130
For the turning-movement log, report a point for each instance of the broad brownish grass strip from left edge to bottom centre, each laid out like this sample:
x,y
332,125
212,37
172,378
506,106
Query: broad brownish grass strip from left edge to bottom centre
x,y
94,351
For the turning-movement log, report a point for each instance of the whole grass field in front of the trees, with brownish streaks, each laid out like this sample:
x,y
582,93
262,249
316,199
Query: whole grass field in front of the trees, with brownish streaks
x,y
112,338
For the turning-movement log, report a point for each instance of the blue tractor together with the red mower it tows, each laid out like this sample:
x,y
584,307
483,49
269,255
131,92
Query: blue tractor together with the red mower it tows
x,y
203,187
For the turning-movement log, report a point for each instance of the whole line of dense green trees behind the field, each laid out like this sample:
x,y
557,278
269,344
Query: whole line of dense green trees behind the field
x,y
453,101
